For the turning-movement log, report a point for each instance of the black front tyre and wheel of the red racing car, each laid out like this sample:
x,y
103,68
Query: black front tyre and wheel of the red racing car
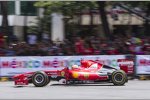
x,y
40,79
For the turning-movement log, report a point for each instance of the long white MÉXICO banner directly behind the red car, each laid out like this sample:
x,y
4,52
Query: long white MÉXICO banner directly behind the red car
x,y
10,66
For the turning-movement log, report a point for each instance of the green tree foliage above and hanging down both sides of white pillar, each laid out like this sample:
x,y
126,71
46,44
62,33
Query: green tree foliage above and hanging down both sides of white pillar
x,y
67,8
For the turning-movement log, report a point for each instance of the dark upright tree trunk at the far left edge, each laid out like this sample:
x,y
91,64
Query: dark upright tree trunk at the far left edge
x,y
5,27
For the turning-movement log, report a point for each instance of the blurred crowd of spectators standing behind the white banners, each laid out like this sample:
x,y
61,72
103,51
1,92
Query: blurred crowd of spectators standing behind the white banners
x,y
90,45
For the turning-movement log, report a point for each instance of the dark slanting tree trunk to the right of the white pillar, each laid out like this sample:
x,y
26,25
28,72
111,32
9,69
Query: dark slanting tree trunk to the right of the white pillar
x,y
103,15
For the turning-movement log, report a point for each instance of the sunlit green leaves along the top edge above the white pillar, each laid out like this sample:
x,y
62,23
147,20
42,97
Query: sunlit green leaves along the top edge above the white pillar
x,y
67,8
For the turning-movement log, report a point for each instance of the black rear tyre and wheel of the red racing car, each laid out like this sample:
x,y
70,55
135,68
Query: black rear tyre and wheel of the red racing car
x,y
119,77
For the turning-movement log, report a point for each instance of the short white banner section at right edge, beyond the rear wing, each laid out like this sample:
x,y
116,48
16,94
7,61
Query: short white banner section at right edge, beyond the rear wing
x,y
143,64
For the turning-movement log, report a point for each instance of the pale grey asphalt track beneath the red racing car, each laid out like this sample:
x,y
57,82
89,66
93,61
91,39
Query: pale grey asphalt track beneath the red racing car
x,y
134,89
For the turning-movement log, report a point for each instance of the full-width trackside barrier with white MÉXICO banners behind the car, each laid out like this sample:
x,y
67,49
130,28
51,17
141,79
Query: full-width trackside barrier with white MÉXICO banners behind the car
x,y
10,66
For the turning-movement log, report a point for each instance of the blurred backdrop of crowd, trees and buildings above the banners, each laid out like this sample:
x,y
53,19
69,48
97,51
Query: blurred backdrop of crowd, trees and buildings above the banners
x,y
50,28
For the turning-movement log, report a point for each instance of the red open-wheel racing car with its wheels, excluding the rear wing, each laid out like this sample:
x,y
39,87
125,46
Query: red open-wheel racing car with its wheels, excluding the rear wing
x,y
88,71
